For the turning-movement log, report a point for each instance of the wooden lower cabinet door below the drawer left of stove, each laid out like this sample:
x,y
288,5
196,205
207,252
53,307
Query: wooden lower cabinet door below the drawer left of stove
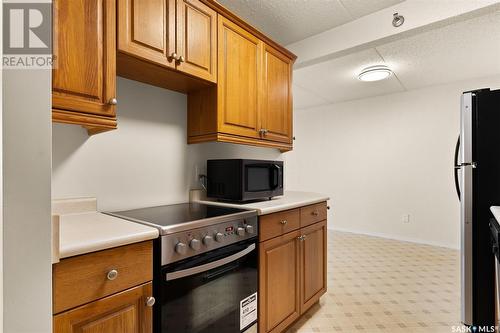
x,y
125,312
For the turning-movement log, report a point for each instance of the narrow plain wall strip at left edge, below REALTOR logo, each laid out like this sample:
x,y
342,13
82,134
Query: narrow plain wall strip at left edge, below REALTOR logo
x,y
27,269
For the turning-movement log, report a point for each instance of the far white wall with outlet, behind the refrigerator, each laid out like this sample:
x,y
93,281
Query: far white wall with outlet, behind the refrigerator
x,y
380,158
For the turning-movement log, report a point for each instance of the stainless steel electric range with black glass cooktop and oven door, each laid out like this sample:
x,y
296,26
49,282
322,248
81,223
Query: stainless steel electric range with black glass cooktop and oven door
x,y
205,267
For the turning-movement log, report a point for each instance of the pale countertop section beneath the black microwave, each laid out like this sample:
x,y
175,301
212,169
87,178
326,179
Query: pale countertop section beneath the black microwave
x,y
290,199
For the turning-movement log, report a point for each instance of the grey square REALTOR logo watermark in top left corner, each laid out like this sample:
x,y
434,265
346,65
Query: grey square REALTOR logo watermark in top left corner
x,y
27,35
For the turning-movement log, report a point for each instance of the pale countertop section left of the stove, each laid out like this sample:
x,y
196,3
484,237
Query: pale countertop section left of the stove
x,y
87,230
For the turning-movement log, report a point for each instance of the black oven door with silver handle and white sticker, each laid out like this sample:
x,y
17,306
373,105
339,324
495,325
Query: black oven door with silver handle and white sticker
x,y
213,292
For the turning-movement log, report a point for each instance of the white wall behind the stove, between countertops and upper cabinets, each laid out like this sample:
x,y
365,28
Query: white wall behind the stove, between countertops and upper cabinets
x,y
146,161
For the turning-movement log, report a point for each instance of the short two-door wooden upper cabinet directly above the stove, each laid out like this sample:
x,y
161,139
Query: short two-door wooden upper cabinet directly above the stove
x,y
177,34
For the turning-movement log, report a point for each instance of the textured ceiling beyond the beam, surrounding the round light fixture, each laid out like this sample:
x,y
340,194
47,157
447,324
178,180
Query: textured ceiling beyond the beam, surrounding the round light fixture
x,y
461,51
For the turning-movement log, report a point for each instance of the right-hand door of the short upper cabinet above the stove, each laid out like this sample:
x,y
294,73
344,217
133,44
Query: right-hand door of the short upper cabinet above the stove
x,y
197,39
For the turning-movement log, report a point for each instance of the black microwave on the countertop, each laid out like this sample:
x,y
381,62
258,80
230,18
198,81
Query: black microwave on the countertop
x,y
244,180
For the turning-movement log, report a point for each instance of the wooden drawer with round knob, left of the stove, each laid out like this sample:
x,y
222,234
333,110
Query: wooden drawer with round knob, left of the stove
x,y
82,279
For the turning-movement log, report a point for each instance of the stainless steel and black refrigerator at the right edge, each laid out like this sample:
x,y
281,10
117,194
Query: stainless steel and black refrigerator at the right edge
x,y
477,180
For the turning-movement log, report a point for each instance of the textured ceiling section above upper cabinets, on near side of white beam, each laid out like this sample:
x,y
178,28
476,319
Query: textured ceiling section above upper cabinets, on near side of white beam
x,y
288,21
